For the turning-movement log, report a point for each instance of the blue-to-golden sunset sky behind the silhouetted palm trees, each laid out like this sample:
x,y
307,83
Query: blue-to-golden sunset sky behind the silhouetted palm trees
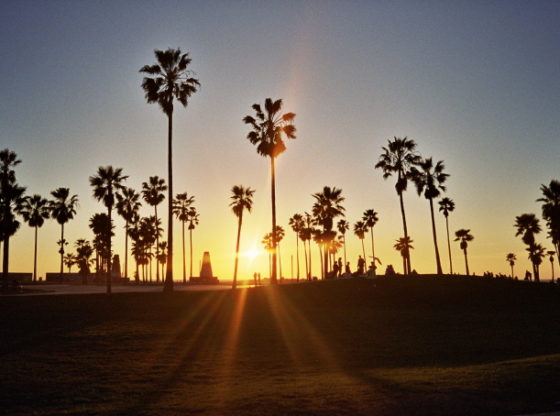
x,y
473,83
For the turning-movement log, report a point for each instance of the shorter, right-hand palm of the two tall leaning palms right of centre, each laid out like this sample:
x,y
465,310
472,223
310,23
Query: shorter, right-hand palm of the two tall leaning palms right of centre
x,y
429,179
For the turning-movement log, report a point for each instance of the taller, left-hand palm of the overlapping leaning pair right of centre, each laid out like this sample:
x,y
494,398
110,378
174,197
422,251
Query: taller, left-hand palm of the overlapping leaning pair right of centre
x,y
398,158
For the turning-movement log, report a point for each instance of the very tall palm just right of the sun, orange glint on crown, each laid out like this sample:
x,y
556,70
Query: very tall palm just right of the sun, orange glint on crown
x,y
269,127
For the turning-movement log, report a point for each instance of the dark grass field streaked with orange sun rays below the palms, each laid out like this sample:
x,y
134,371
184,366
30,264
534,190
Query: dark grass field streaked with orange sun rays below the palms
x,y
401,346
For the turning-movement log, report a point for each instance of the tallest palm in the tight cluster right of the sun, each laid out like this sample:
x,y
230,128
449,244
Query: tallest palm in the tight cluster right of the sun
x,y
327,206
